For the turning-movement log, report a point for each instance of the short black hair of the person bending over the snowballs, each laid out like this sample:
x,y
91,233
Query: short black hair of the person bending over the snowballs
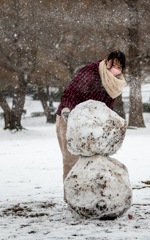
x,y
119,56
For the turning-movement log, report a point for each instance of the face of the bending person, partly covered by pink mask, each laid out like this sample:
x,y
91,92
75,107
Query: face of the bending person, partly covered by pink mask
x,y
114,67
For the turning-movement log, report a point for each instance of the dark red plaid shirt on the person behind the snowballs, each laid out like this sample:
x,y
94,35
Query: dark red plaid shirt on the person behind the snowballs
x,y
85,85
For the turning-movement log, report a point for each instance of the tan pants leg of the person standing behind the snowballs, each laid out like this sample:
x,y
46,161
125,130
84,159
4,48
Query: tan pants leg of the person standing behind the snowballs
x,y
68,159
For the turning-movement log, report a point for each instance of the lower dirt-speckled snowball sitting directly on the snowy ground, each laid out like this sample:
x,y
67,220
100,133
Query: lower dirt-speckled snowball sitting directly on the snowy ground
x,y
98,187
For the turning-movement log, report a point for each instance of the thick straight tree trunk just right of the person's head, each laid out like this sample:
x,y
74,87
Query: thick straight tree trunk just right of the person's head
x,y
136,106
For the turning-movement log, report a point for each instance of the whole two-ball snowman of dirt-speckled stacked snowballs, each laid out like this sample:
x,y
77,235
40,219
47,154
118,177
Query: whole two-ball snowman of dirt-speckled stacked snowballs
x,y
98,186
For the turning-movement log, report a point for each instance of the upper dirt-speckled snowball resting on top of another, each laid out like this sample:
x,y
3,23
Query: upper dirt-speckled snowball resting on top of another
x,y
93,128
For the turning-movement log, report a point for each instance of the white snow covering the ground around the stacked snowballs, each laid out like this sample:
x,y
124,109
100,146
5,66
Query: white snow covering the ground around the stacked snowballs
x,y
31,187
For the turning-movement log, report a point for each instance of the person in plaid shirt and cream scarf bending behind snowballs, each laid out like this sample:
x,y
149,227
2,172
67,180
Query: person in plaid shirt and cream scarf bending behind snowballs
x,y
103,81
